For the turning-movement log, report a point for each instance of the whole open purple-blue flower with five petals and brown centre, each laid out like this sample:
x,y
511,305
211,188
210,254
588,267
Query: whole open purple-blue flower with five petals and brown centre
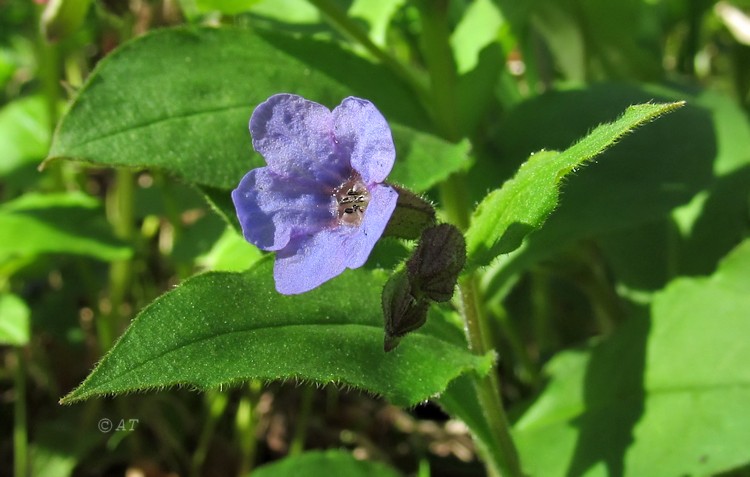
x,y
320,202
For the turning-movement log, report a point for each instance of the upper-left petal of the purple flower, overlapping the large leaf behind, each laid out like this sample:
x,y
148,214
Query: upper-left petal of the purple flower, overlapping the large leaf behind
x,y
294,136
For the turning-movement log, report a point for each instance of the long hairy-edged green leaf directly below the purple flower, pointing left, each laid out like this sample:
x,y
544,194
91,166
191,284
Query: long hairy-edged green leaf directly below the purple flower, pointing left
x,y
222,328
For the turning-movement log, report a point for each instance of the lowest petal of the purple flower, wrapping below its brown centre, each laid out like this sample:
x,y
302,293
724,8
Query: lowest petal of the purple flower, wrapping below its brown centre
x,y
308,262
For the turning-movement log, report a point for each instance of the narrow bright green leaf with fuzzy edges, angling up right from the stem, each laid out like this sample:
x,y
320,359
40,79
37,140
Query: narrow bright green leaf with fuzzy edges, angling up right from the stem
x,y
508,214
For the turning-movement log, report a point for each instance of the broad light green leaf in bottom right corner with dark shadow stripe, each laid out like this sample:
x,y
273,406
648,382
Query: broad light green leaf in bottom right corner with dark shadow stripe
x,y
664,396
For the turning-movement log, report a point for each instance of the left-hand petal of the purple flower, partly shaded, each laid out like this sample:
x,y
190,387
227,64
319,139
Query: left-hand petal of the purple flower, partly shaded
x,y
272,208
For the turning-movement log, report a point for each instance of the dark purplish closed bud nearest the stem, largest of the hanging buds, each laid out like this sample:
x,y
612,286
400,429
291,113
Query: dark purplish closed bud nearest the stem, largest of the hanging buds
x,y
434,267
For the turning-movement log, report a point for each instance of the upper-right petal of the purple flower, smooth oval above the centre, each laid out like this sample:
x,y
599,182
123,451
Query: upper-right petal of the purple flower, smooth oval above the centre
x,y
362,134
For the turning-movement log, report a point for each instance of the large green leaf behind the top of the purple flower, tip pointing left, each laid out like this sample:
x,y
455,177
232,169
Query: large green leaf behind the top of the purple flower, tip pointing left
x,y
180,100
